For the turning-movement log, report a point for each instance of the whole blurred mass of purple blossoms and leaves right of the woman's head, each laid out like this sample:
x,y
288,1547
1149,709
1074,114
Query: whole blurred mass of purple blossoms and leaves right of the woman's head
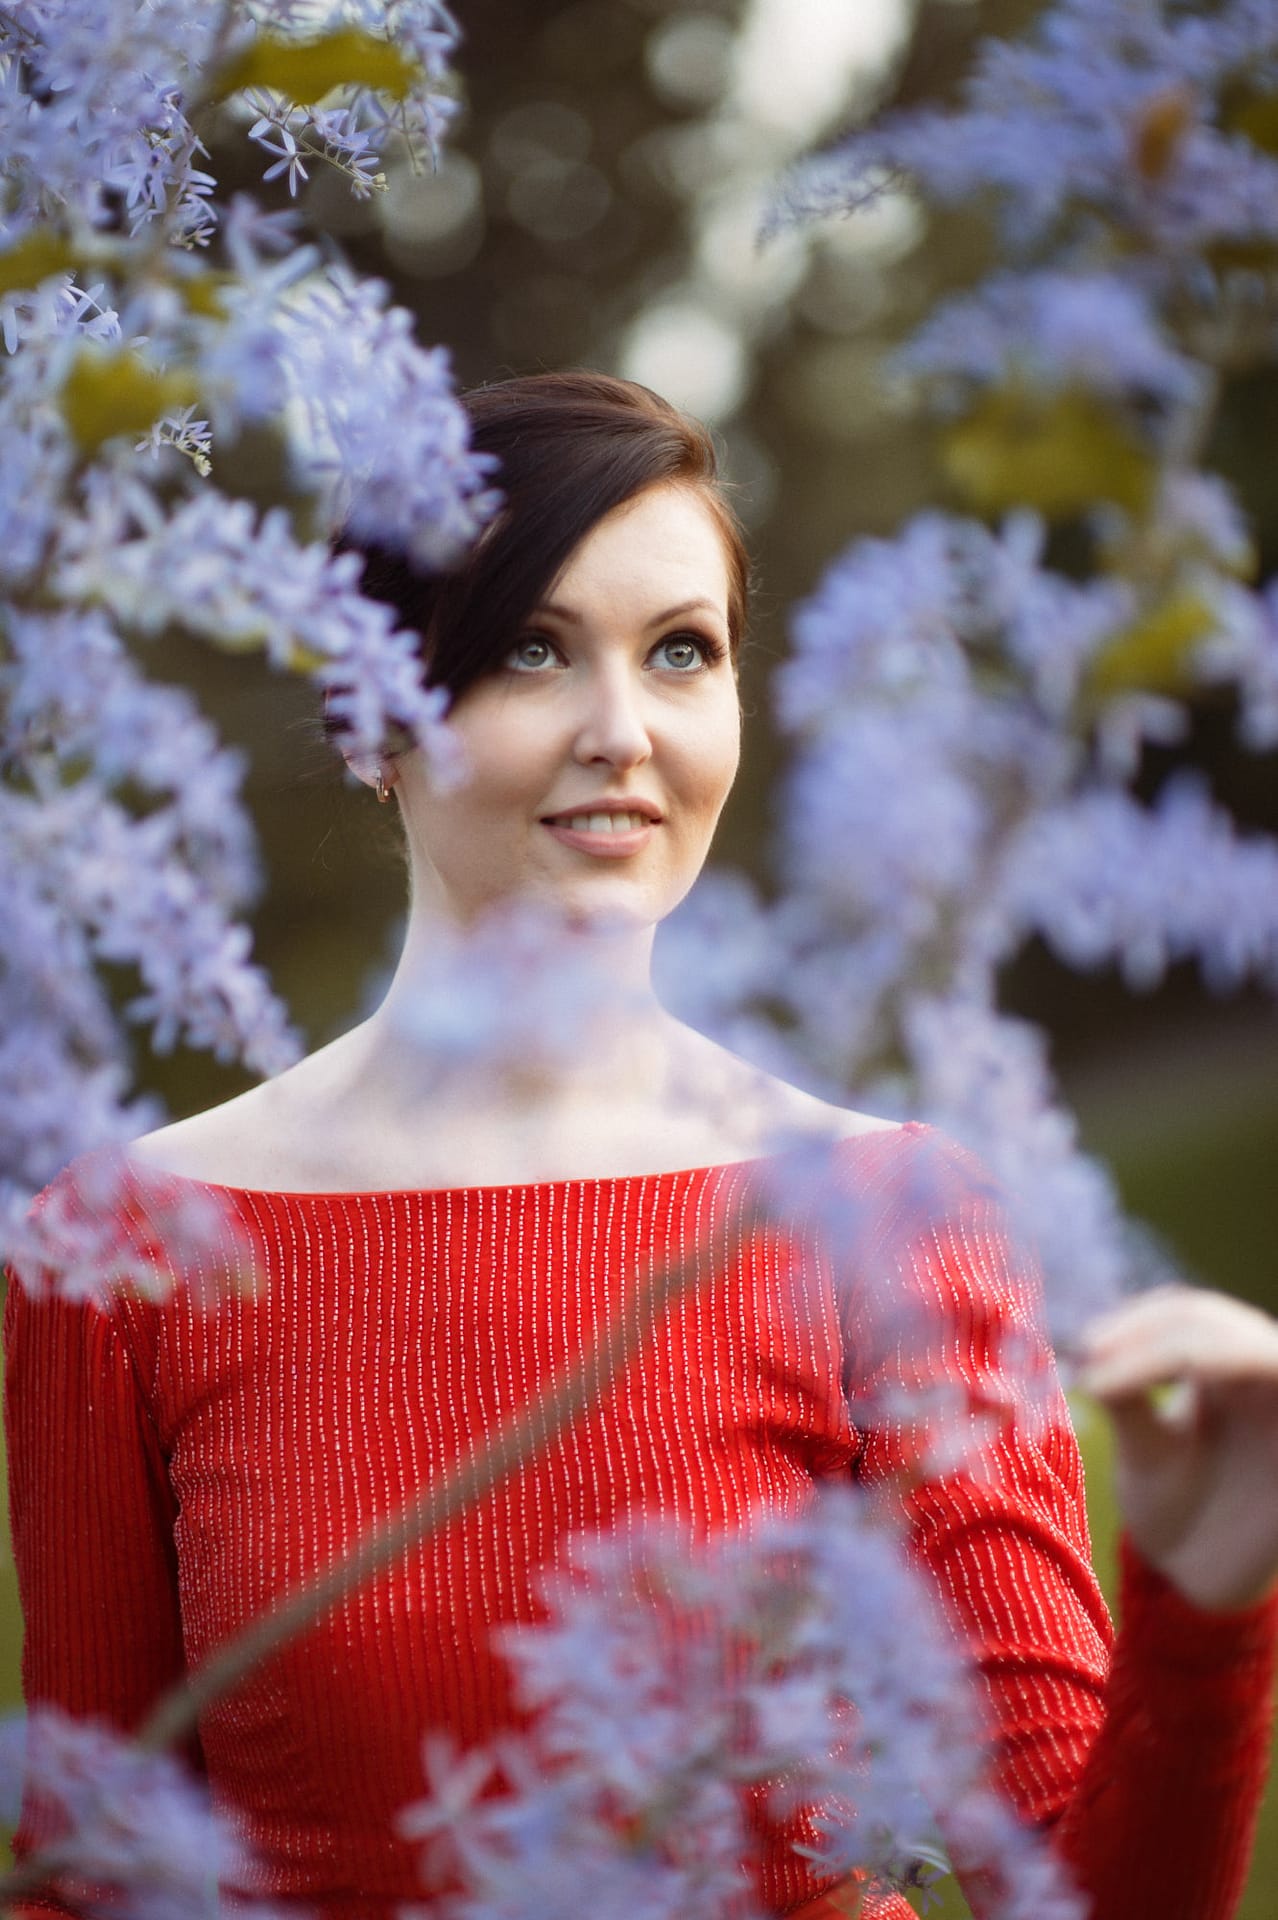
x,y
968,723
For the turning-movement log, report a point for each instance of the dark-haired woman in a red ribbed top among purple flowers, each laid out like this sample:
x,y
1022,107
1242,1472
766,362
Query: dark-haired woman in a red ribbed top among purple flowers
x,y
438,1236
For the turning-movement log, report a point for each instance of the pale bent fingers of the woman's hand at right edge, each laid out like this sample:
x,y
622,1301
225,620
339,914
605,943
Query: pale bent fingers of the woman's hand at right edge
x,y
1177,1333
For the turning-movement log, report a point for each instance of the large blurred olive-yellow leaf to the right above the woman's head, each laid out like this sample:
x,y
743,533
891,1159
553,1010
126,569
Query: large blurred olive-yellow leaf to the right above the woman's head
x,y
1058,454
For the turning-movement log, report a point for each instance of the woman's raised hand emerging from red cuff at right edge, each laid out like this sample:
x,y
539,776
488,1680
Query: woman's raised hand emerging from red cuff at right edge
x,y
1196,1468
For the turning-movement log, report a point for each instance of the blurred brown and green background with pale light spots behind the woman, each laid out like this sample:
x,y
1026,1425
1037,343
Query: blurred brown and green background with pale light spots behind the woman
x,y
598,206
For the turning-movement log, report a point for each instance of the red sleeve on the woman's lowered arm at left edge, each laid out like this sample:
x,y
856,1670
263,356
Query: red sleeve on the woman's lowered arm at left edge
x,y
93,1522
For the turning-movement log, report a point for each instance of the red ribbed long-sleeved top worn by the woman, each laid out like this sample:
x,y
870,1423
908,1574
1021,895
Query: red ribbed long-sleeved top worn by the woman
x,y
174,1470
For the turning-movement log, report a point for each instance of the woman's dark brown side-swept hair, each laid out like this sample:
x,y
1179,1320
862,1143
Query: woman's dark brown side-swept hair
x,y
571,448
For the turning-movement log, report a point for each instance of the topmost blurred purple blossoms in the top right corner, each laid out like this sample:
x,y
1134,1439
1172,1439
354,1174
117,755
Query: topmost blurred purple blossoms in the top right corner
x,y
1110,112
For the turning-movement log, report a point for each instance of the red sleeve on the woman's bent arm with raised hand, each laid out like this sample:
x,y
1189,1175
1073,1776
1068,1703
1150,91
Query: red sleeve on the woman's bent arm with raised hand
x,y
1145,1758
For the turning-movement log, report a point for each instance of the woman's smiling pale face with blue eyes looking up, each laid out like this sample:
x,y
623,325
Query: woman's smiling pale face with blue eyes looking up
x,y
603,748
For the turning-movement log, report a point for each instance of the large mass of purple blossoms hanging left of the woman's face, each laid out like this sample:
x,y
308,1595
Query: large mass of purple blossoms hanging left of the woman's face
x,y
122,836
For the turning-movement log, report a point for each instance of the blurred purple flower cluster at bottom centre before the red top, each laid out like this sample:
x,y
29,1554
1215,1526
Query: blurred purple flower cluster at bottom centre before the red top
x,y
684,1694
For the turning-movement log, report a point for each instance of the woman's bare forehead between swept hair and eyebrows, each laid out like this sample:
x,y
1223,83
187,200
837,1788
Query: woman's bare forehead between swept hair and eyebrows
x,y
661,548
